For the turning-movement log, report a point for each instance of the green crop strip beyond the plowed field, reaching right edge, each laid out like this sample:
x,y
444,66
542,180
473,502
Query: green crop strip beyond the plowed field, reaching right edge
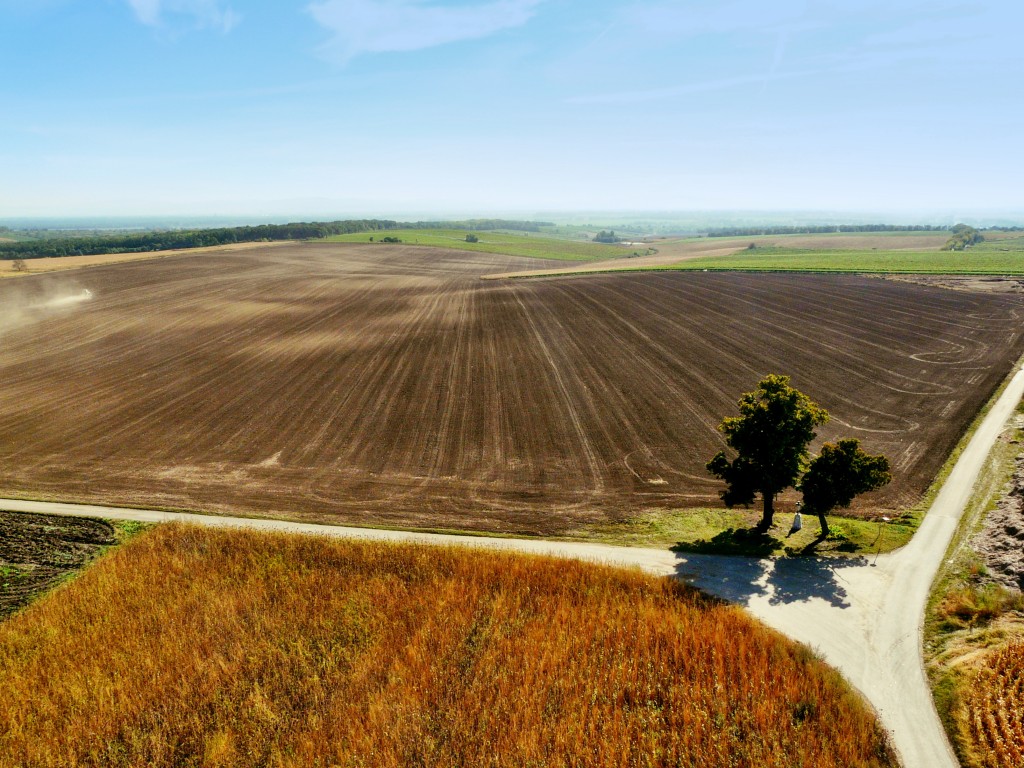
x,y
999,258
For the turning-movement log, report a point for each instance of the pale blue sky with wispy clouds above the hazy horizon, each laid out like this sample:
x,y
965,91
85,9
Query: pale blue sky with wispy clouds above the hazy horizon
x,y
337,108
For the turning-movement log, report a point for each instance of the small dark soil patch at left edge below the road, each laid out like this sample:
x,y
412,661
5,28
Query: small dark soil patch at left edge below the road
x,y
37,551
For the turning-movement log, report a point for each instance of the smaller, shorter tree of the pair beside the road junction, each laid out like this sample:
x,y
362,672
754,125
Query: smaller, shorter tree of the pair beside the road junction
x,y
841,473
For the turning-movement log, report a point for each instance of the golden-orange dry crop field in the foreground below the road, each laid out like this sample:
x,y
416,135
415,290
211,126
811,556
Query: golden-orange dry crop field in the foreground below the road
x,y
192,647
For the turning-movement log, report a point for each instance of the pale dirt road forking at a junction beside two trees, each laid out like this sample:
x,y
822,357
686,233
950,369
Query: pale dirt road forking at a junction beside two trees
x,y
865,616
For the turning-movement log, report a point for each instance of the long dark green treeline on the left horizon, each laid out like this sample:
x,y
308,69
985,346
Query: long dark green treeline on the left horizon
x,y
173,240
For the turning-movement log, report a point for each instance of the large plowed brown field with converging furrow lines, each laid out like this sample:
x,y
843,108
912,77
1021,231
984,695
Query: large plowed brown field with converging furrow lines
x,y
391,386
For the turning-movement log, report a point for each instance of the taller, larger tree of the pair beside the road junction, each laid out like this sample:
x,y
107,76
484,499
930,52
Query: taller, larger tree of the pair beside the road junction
x,y
771,437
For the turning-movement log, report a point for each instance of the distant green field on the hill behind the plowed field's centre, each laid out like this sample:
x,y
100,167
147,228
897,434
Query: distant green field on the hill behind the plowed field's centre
x,y
518,244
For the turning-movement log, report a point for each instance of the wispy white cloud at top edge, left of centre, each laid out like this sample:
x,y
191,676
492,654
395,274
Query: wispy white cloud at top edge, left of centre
x,y
392,26
